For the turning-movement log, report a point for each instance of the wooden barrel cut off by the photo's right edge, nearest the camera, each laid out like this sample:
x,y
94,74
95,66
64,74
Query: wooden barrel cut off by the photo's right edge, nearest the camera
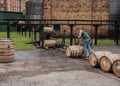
x,y
116,67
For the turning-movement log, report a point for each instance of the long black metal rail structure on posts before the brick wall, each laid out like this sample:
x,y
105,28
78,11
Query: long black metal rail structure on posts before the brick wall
x,y
70,23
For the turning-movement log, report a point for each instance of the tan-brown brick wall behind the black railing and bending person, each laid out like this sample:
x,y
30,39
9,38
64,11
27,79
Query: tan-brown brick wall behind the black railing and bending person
x,y
78,9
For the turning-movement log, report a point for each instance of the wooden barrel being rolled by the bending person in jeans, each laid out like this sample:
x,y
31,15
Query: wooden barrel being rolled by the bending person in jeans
x,y
74,51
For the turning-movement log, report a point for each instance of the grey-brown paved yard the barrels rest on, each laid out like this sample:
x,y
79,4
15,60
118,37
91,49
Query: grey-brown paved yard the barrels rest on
x,y
52,68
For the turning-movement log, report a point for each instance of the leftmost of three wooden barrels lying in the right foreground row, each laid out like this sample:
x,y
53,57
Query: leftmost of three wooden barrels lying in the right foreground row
x,y
94,58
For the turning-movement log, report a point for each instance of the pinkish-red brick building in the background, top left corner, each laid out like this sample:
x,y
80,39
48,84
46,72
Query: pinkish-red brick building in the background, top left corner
x,y
12,5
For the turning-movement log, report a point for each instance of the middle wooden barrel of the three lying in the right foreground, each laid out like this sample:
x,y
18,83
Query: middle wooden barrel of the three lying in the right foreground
x,y
107,61
